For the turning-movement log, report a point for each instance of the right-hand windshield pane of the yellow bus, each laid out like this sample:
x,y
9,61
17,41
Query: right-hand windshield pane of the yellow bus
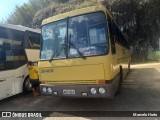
x,y
88,34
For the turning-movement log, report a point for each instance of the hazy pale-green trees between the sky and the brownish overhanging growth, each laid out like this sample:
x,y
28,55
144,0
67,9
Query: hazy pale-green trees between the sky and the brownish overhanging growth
x,y
24,14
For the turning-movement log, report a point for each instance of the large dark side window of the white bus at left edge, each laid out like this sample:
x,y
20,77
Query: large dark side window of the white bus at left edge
x,y
11,54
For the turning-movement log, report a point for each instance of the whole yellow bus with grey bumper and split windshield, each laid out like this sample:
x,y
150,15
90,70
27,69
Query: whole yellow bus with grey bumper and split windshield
x,y
83,54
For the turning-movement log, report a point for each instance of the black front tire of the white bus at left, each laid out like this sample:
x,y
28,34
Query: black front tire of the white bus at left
x,y
27,86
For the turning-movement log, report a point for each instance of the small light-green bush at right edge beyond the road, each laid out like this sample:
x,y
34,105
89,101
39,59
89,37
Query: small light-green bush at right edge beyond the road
x,y
154,56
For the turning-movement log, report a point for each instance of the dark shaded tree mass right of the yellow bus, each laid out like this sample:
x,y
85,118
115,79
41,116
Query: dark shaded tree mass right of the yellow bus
x,y
140,19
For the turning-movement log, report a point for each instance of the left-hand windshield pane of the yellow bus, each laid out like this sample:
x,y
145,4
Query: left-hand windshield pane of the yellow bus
x,y
53,38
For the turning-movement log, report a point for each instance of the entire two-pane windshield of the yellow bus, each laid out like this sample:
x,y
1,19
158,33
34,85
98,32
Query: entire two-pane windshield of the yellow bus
x,y
84,35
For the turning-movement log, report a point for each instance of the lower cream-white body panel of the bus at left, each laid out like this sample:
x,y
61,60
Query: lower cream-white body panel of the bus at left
x,y
11,81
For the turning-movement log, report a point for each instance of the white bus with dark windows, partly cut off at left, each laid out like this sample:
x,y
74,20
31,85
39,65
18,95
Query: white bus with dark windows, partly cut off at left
x,y
18,44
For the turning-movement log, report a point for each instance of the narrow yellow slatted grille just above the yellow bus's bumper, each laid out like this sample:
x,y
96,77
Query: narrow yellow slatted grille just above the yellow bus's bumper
x,y
73,82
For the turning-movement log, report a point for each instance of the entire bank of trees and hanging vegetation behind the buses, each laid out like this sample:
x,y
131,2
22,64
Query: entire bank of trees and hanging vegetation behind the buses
x,y
138,19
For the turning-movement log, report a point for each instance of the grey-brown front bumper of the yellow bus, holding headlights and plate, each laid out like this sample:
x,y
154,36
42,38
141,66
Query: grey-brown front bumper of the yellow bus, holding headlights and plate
x,y
81,91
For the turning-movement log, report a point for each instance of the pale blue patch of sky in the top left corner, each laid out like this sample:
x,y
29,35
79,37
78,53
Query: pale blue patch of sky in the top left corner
x,y
8,6
